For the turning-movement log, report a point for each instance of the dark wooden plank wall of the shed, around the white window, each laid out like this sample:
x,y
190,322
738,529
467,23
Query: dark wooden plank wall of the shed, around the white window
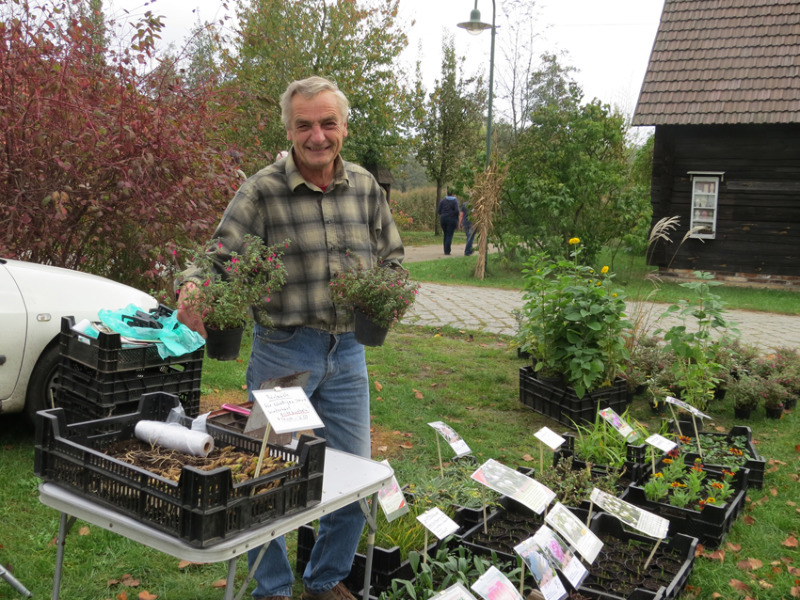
x,y
758,223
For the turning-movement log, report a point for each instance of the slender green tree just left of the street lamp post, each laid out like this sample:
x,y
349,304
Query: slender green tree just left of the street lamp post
x,y
450,123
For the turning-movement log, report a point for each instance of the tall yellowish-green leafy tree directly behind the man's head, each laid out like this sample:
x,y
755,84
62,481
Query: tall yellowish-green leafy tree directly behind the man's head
x,y
352,43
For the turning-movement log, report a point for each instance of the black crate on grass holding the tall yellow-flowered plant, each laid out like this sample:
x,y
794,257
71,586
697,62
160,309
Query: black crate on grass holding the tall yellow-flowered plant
x,y
562,404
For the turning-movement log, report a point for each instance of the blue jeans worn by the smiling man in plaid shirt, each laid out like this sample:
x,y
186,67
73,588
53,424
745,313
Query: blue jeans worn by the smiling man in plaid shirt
x,y
339,391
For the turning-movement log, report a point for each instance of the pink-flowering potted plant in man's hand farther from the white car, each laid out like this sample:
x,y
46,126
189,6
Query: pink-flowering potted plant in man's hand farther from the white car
x,y
378,296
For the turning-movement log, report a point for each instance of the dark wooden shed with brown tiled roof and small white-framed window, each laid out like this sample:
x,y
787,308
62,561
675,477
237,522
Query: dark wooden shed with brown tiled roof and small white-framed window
x,y
722,89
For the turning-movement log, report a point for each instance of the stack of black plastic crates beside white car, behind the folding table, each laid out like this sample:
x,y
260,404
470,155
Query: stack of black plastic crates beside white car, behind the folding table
x,y
101,377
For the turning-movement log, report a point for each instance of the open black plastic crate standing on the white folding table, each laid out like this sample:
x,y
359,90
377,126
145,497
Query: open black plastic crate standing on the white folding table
x,y
204,507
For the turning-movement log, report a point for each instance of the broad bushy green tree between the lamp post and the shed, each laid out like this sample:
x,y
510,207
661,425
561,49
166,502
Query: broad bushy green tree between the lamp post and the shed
x,y
568,175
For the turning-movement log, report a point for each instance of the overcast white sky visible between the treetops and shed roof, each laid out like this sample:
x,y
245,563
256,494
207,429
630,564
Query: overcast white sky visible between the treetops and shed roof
x,y
608,41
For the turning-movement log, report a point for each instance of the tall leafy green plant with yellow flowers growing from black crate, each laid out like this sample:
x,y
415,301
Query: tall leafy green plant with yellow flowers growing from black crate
x,y
573,321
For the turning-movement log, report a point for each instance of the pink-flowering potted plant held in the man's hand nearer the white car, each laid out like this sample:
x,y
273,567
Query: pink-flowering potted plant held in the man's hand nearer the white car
x,y
224,300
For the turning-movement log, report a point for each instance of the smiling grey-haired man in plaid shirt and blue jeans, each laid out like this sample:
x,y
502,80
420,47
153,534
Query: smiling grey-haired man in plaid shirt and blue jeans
x,y
335,216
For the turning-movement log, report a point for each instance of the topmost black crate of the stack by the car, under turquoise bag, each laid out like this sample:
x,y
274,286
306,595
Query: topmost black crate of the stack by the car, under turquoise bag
x,y
106,354
